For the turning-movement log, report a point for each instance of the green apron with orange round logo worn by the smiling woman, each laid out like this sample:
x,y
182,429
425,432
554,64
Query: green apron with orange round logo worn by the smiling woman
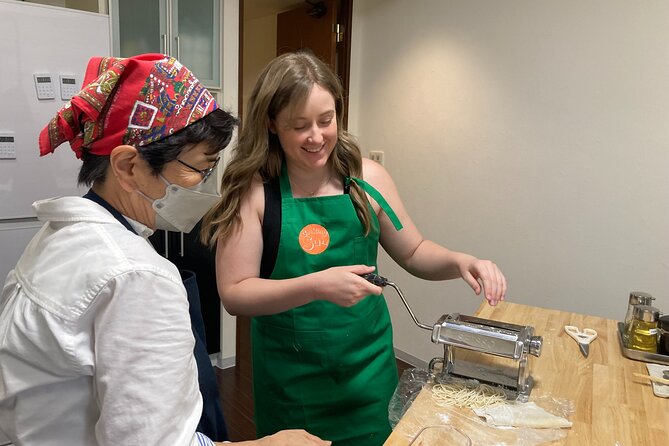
x,y
321,367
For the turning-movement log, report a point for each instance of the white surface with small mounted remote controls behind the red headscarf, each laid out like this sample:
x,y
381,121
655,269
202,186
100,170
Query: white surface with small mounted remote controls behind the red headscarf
x,y
43,55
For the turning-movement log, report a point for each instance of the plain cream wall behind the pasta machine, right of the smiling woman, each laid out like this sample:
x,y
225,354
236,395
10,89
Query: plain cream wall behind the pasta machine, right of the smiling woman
x,y
533,133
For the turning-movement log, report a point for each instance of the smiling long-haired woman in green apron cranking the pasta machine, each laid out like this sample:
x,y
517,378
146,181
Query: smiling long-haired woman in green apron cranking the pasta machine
x,y
300,221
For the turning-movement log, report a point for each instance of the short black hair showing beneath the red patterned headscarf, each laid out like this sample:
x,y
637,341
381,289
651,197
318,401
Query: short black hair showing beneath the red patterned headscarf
x,y
216,129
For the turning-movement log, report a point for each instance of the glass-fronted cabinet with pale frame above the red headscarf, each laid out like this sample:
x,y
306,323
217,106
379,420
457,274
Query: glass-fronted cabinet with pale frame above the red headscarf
x,y
186,29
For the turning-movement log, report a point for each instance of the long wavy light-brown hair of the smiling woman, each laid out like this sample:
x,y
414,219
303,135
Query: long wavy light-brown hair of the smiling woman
x,y
285,82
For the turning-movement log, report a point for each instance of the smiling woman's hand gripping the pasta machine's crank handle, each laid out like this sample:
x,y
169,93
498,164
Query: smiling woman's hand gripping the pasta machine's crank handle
x,y
343,285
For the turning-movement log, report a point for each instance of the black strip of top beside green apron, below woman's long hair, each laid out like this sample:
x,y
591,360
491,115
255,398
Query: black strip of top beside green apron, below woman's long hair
x,y
271,227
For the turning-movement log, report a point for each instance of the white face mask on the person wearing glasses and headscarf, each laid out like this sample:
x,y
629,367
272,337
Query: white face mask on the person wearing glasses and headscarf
x,y
181,208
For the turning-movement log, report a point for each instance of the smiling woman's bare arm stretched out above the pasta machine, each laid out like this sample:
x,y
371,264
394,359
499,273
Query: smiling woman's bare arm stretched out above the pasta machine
x,y
424,258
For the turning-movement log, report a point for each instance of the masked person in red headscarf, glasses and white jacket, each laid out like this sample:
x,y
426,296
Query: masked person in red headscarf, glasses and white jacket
x,y
96,345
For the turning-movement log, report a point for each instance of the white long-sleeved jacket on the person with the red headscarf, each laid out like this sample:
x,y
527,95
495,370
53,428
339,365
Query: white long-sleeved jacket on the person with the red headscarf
x,y
96,346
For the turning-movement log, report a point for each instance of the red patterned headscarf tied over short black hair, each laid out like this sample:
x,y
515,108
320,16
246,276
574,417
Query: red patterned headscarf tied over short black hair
x,y
134,101
